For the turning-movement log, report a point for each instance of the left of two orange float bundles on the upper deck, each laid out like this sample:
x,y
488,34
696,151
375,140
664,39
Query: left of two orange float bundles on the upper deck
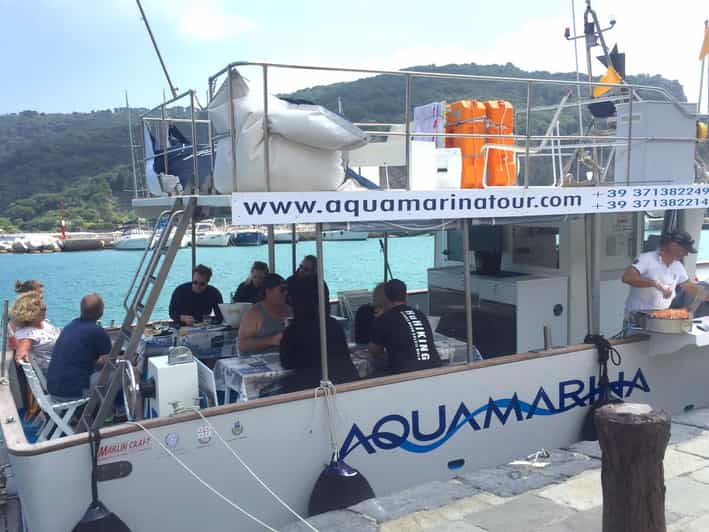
x,y
468,116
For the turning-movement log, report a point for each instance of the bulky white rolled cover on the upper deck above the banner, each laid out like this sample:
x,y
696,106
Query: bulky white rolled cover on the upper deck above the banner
x,y
304,142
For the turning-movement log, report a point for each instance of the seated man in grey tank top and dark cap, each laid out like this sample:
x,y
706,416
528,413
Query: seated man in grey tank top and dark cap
x,y
261,328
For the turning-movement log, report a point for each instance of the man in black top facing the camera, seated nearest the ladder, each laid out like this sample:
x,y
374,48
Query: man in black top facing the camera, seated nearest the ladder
x,y
194,302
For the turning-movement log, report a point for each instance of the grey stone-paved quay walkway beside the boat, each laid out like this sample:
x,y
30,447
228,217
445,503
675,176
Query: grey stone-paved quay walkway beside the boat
x,y
559,493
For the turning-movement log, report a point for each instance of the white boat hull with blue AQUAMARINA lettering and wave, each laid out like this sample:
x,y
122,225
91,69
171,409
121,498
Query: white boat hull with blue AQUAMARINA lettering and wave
x,y
397,434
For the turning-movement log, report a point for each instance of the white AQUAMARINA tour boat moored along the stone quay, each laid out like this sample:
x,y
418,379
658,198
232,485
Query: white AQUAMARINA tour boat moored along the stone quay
x,y
541,263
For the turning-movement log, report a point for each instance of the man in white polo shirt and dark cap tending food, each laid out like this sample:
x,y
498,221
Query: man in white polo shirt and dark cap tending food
x,y
655,275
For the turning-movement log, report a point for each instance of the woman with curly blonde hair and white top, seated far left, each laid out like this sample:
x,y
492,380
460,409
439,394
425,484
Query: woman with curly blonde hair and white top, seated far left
x,y
35,336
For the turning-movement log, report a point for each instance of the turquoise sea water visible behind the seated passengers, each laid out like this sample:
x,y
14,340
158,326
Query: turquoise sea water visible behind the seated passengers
x,y
69,276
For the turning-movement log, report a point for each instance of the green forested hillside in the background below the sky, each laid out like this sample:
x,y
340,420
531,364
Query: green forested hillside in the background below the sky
x,y
84,158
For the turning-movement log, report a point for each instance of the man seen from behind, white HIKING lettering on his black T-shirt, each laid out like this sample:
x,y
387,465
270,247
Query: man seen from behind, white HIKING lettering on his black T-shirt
x,y
404,332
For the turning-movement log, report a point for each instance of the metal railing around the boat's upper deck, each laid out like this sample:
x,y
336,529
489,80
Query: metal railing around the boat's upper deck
x,y
527,144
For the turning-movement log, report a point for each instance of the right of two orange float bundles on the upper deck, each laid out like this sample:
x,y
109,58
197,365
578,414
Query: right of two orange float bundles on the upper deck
x,y
501,169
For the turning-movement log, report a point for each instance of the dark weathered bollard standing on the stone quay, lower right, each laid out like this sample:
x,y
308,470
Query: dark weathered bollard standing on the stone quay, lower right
x,y
633,439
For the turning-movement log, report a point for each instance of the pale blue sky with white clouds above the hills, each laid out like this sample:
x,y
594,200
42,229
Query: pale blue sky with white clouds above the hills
x,y
80,55
